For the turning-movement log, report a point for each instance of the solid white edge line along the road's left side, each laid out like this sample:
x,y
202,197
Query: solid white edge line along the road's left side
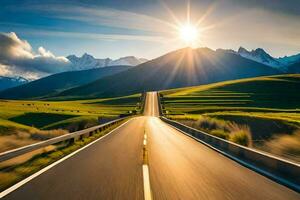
x,y
24,181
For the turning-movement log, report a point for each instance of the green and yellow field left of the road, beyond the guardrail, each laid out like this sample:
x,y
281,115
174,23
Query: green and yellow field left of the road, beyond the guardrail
x,y
26,122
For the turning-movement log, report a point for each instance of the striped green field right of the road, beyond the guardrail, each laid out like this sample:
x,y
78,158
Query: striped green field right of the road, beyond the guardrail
x,y
268,106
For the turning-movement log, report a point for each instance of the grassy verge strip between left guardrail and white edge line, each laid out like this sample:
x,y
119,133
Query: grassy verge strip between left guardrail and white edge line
x,y
13,173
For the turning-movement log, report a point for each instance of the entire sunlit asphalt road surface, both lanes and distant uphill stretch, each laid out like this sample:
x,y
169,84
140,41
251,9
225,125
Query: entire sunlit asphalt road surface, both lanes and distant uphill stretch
x,y
179,168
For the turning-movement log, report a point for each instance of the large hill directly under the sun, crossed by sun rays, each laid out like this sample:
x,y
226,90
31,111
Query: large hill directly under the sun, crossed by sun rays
x,y
181,68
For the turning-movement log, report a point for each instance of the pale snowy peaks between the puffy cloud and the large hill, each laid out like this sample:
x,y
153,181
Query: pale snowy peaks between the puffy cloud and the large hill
x,y
87,61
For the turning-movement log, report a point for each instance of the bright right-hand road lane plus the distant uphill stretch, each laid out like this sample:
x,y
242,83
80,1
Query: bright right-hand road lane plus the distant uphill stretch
x,y
182,168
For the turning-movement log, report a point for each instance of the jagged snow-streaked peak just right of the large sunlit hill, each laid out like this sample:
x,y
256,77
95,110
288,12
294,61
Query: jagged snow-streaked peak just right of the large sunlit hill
x,y
259,55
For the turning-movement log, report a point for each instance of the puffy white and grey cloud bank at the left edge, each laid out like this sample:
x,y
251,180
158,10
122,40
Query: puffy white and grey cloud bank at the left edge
x,y
18,59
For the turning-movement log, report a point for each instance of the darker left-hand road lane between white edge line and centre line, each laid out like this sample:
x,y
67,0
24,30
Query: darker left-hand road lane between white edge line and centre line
x,y
109,169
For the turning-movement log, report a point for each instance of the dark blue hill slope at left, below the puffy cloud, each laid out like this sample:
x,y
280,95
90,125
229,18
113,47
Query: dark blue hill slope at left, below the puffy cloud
x,y
59,82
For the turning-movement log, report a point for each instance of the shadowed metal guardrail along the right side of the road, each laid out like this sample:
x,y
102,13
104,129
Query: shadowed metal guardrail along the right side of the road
x,y
277,169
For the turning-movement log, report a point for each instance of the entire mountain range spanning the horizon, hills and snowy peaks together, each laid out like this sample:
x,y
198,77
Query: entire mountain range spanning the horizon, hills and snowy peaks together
x,y
180,68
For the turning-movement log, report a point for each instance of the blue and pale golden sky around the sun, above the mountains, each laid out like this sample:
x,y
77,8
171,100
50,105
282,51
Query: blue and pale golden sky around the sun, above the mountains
x,y
49,30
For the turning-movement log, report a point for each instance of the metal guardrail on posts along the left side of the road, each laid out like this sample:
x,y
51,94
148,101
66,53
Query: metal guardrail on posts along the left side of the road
x,y
69,136
